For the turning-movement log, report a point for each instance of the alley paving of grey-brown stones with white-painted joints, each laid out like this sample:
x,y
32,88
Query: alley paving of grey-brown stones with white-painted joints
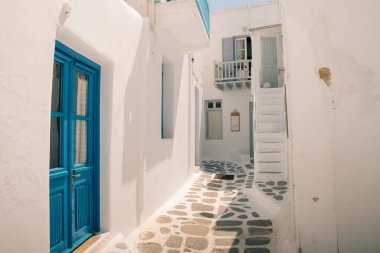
x,y
214,216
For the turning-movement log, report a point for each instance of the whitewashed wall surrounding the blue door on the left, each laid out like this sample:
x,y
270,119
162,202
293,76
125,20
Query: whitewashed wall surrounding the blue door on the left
x,y
135,162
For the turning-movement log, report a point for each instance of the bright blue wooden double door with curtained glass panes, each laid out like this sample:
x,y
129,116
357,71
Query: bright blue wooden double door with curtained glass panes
x,y
74,150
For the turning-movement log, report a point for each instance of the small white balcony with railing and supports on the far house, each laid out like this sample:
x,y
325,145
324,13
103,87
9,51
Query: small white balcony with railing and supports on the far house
x,y
233,74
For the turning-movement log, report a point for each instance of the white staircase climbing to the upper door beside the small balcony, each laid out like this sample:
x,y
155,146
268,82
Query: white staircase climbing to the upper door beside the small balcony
x,y
270,136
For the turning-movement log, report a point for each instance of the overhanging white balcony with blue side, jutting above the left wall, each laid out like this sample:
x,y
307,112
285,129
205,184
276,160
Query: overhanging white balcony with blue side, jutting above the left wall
x,y
188,21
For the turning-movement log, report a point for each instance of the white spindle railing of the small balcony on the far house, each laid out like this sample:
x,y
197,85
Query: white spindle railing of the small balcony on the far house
x,y
233,71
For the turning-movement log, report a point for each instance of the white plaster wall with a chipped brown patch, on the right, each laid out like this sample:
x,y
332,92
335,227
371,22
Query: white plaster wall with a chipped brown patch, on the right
x,y
334,130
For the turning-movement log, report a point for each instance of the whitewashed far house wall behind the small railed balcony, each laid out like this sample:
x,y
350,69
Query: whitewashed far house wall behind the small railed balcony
x,y
229,23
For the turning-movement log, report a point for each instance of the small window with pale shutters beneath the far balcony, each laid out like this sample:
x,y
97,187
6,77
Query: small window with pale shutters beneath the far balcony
x,y
214,129
